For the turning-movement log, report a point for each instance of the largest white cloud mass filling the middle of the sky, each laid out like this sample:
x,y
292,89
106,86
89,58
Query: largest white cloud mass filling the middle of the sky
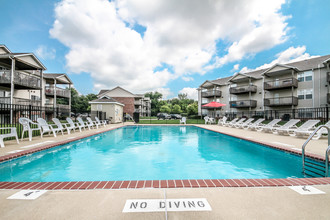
x,y
181,34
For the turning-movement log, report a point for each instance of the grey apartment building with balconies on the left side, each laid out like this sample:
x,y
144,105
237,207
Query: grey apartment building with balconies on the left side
x,y
24,83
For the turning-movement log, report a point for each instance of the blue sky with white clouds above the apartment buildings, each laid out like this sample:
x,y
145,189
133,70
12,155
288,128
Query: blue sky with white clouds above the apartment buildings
x,y
169,46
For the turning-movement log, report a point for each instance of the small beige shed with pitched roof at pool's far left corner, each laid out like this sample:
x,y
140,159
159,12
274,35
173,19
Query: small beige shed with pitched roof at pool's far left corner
x,y
107,108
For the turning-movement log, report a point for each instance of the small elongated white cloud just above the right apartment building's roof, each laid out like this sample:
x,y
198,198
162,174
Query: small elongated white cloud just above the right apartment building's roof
x,y
292,54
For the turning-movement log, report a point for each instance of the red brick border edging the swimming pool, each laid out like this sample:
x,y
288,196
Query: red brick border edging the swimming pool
x,y
136,184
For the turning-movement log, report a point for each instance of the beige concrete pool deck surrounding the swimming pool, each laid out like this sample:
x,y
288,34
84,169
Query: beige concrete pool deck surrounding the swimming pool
x,y
226,202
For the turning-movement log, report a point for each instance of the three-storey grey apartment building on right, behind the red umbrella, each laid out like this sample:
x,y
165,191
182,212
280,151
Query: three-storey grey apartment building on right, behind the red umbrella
x,y
296,85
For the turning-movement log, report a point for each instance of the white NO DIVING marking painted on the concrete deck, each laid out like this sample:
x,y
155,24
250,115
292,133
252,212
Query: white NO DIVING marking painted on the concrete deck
x,y
169,205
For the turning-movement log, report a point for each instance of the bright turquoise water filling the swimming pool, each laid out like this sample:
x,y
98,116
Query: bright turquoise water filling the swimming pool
x,y
153,152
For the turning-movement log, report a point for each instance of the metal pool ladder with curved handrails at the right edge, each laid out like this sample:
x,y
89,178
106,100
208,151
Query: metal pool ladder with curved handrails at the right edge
x,y
313,168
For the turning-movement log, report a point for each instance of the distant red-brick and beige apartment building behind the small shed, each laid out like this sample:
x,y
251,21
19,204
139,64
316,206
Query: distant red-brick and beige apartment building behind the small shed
x,y
133,102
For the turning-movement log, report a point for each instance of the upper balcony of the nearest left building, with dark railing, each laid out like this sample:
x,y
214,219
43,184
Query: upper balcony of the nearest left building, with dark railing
x,y
21,80
